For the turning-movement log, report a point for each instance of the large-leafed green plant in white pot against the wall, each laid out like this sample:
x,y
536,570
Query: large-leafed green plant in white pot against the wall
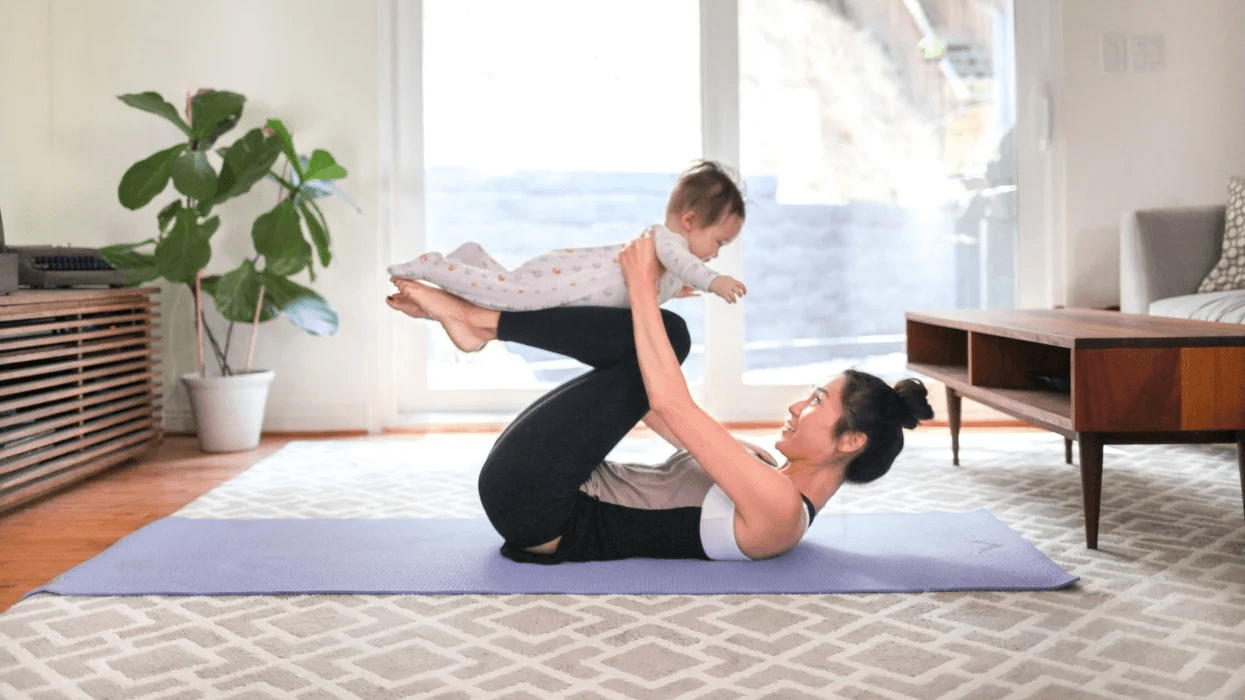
x,y
288,240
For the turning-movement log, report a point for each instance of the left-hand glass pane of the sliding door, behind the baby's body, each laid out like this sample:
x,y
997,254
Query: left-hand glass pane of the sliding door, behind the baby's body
x,y
553,124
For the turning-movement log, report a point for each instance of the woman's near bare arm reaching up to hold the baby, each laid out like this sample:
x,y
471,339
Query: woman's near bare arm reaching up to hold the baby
x,y
768,506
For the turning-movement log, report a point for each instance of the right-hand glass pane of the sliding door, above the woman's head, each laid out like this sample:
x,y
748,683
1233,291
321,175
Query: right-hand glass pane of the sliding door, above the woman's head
x,y
881,170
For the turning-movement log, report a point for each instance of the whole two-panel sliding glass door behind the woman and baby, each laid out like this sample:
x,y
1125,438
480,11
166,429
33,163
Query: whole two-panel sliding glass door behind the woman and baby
x,y
876,141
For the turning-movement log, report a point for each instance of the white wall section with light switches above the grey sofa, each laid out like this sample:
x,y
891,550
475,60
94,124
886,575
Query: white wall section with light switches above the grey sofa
x,y
1140,140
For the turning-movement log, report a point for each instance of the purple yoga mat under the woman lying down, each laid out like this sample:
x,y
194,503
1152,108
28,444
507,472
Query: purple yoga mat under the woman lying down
x,y
842,554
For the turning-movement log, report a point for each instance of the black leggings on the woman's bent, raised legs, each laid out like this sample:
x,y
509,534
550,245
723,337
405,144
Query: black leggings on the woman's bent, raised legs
x,y
531,478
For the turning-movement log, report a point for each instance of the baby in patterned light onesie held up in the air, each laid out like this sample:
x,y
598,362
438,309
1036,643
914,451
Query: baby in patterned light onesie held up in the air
x,y
705,214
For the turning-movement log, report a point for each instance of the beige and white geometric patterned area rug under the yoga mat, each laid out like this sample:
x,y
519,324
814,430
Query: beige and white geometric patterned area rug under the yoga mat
x,y
1160,612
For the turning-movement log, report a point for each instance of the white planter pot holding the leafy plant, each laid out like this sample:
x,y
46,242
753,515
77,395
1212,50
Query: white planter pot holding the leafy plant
x,y
228,410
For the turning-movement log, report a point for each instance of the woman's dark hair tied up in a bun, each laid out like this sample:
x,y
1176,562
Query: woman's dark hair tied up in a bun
x,y
881,413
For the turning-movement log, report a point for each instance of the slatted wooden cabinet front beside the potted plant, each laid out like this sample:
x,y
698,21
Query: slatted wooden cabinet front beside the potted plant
x,y
79,387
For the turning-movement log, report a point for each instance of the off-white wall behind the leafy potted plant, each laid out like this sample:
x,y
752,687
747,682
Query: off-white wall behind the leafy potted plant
x,y
65,141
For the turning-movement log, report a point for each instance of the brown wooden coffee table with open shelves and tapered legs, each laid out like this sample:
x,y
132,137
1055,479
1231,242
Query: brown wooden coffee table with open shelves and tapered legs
x,y
1100,378
